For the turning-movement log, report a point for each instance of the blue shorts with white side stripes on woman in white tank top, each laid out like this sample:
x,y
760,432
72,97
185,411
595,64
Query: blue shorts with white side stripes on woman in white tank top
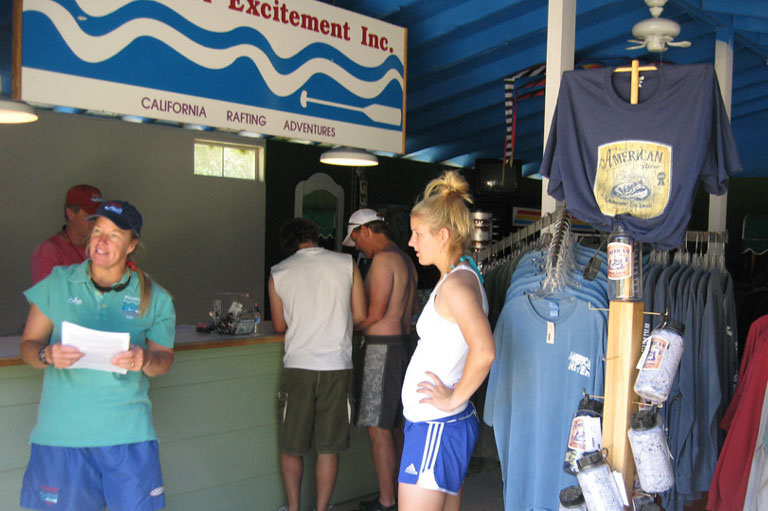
x,y
436,453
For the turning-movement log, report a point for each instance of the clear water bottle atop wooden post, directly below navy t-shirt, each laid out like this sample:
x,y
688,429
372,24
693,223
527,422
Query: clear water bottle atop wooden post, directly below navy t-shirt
x,y
625,268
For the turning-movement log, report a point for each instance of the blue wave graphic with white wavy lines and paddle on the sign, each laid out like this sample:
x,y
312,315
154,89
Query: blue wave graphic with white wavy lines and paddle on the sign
x,y
148,44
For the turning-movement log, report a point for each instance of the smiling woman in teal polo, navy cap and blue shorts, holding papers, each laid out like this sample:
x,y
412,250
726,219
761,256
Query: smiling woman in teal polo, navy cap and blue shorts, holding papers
x,y
94,445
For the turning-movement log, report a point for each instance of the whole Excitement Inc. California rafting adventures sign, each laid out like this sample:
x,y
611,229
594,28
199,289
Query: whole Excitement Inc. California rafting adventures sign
x,y
293,68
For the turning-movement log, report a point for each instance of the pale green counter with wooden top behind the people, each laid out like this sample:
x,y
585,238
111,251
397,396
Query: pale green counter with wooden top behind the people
x,y
216,423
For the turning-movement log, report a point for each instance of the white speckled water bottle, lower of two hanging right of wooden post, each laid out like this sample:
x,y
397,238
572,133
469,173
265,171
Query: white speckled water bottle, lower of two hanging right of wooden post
x,y
651,453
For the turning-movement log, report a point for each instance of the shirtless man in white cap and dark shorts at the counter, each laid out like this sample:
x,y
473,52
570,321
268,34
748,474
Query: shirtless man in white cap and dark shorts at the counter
x,y
390,286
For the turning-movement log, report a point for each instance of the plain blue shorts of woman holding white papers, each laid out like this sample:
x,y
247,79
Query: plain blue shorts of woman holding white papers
x,y
122,477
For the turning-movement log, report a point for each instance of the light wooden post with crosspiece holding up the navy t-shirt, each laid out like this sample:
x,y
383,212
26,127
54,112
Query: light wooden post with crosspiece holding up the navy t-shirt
x,y
625,336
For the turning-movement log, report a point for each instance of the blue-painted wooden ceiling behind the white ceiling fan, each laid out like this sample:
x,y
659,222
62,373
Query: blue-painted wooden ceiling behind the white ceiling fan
x,y
460,51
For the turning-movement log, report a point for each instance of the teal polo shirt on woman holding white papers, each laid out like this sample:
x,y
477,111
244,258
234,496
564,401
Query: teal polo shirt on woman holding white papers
x,y
85,407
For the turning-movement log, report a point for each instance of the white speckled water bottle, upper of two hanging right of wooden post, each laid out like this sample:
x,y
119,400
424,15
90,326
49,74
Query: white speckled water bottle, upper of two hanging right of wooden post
x,y
659,361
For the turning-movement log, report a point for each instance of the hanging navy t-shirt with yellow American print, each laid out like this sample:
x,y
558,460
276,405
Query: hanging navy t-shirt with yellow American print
x,y
639,164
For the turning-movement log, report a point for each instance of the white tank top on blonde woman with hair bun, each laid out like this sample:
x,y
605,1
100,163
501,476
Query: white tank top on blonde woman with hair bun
x,y
441,350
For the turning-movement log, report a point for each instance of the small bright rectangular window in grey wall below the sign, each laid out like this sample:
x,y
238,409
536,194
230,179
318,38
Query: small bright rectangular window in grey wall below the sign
x,y
237,161
